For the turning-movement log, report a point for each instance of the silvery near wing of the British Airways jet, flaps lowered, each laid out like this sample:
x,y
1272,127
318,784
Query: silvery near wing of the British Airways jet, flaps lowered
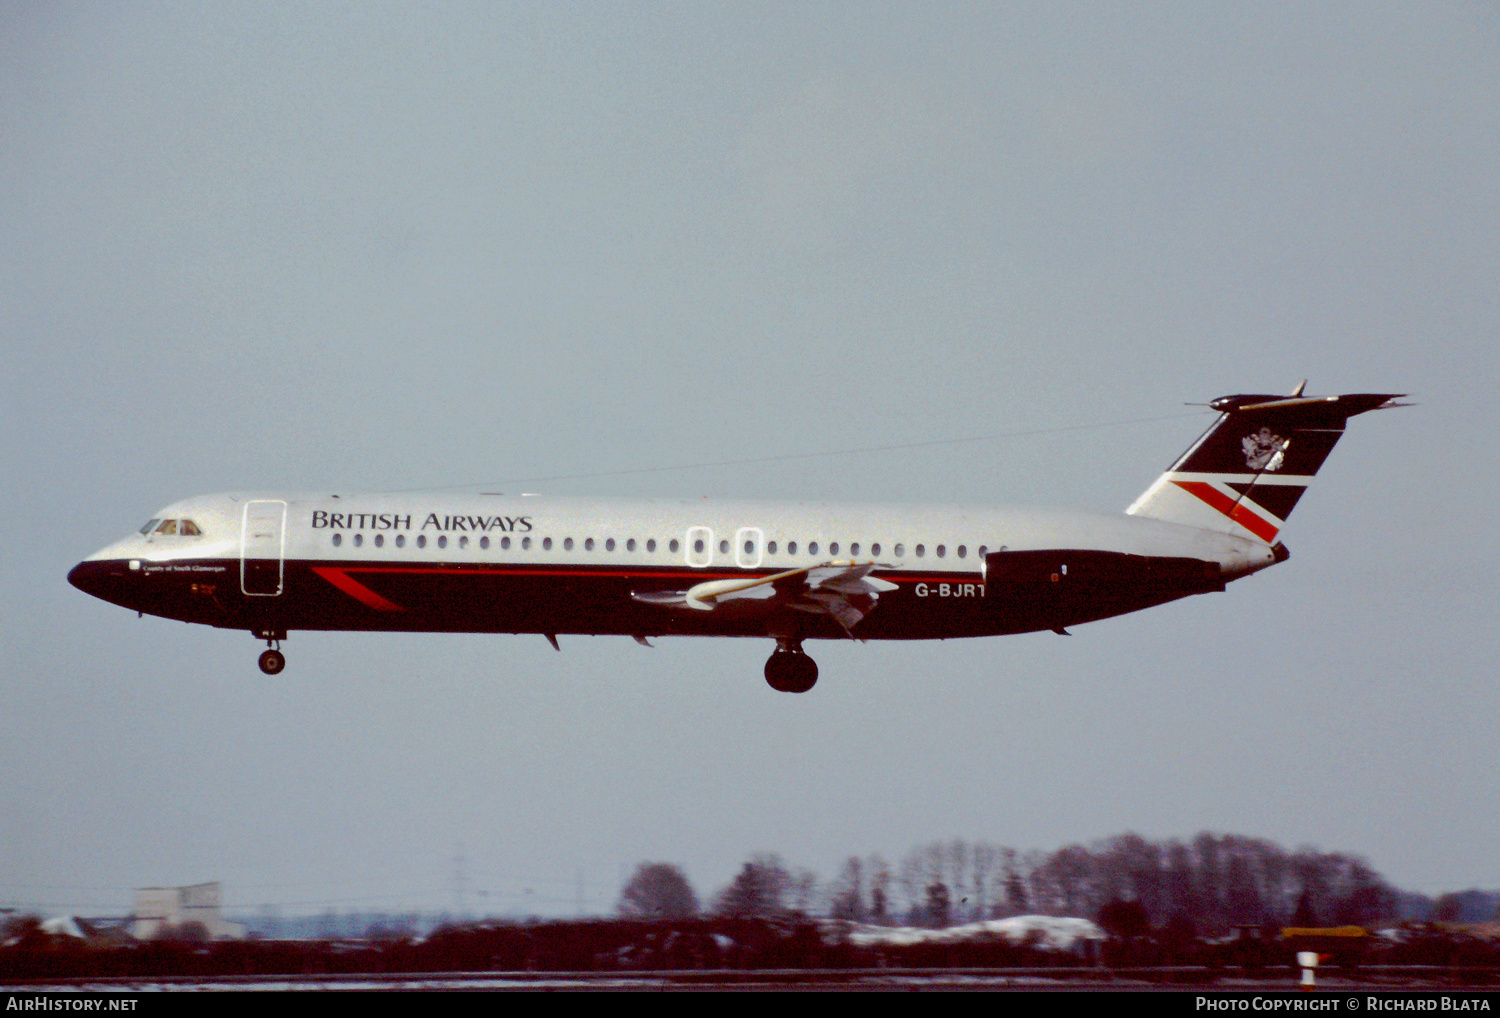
x,y
842,590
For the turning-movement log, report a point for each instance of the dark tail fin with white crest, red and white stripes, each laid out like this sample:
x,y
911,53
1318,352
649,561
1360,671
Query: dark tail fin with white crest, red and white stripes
x,y
1252,467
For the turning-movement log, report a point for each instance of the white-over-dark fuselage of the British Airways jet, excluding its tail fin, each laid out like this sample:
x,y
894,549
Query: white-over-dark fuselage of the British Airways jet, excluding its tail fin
x,y
532,564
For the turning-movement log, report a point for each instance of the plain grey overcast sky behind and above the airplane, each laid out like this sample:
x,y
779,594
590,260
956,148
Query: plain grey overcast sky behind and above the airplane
x,y
371,247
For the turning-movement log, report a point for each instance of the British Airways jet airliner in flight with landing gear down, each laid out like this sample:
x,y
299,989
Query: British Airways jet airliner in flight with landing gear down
x,y
790,572
